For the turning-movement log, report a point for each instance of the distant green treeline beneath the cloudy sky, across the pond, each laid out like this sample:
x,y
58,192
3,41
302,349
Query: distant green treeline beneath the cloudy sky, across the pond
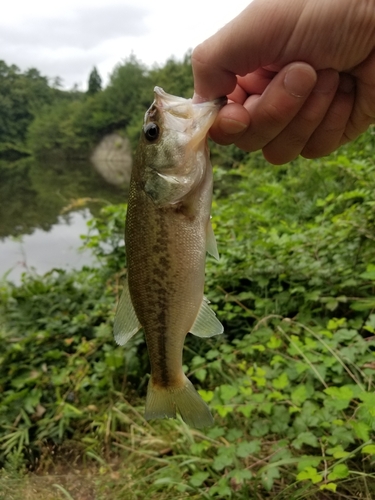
x,y
38,118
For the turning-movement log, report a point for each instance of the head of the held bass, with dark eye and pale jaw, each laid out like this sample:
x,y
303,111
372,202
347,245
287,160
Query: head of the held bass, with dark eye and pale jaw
x,y
172,155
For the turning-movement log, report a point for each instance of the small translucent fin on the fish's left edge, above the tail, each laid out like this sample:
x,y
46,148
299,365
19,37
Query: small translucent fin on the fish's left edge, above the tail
x,y
126,322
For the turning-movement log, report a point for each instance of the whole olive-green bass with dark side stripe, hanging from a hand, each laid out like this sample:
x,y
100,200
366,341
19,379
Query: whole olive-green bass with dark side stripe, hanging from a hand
x,y
167,234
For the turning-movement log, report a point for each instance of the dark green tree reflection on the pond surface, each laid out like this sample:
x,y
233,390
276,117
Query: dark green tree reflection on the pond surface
x,y
33,195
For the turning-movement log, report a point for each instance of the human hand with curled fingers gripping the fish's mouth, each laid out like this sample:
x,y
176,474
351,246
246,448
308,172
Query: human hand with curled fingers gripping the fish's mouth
x,y
299,75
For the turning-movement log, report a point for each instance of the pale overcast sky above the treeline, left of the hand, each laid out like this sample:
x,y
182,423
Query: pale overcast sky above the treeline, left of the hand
x,y
68,38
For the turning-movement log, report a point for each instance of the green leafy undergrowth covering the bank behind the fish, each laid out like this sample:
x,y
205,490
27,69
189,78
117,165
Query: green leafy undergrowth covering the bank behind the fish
x,y
291,382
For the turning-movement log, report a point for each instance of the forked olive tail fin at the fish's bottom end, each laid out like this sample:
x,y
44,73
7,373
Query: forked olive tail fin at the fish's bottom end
x,y
163,402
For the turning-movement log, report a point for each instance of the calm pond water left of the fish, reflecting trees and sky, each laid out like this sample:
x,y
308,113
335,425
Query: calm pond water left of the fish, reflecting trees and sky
x,y
44,208
